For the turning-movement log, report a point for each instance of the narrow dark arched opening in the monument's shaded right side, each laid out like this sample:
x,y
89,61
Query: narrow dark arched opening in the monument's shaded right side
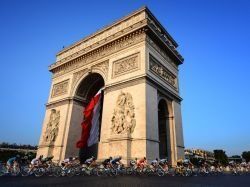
x,y
163,127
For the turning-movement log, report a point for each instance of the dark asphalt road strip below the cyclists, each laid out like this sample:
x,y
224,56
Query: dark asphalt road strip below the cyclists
x,y
124,181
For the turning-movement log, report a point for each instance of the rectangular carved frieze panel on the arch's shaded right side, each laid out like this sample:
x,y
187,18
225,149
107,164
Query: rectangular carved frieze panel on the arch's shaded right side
x,y
161,71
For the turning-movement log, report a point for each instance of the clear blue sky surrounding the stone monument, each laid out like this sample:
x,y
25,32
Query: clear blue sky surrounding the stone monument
x,y
213,37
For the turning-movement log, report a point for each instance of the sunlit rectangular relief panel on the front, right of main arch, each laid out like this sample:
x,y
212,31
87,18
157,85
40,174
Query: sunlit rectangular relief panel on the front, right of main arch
x,y
126,65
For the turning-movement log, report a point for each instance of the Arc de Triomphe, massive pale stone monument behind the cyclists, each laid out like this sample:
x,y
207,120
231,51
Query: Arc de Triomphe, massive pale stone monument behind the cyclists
x,y
136,61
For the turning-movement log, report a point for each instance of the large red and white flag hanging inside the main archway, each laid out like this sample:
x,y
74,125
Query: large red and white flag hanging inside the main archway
x,y
90,124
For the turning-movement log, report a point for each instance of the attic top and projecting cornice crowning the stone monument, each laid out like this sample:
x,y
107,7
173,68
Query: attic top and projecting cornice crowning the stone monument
x,y
138,19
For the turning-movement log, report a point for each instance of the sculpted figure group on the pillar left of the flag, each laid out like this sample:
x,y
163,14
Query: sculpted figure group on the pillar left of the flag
x,y
52,127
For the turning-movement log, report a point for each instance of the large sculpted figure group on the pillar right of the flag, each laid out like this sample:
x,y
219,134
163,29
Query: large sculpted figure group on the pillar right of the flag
x,y
123,120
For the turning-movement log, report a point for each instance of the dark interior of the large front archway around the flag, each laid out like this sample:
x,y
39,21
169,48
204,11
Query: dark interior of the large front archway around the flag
x,y
86,90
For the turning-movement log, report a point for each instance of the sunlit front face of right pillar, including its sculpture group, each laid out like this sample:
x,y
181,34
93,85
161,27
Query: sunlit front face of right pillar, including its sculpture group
x,y
120,110
